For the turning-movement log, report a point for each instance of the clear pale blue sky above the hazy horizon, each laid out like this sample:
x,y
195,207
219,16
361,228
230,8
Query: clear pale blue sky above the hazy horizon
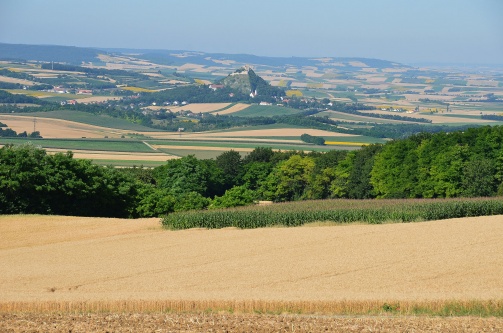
x,y
406,31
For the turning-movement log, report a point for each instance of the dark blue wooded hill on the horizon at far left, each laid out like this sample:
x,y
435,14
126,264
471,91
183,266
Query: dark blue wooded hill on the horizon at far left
x,y
67,54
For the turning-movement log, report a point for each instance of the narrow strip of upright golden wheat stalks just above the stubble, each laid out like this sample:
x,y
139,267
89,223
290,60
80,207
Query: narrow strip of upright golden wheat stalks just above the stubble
x,y
344,307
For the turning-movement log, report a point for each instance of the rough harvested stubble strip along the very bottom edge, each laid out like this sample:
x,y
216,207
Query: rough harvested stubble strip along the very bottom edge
x,y
210,322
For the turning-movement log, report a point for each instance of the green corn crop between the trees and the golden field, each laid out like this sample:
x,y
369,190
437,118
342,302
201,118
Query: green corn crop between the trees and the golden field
x,y
339,211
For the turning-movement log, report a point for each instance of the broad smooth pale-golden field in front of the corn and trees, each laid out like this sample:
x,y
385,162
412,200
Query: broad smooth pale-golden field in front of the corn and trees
x,y
60,259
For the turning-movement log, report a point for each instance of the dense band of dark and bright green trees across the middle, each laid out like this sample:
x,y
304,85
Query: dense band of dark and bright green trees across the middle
x,y
459,164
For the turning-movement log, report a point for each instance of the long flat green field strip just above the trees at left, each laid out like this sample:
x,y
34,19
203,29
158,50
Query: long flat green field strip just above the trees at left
x,y
124,145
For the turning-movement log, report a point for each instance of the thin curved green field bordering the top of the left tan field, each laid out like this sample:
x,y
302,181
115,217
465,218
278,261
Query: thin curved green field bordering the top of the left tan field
x,y
90,119
